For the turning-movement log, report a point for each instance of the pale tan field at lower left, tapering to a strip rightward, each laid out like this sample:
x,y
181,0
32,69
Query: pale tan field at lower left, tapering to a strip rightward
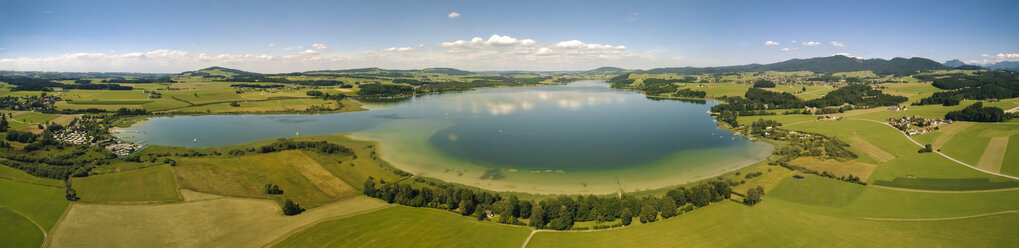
x,y
223,222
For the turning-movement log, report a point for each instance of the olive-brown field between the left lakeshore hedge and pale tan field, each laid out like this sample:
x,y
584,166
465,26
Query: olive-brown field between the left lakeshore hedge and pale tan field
x,y
302,180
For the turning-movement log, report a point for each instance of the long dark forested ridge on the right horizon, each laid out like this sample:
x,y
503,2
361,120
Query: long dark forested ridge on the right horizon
x,y
837,64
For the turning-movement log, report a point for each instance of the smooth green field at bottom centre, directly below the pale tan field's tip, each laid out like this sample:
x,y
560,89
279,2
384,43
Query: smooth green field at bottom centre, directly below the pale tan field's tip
x,y
389,228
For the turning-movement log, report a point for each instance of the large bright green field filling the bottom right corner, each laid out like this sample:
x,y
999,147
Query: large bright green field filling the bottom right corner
x,y
782,221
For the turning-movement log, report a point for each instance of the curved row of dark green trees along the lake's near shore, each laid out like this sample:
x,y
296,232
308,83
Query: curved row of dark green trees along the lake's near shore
x,y
554,213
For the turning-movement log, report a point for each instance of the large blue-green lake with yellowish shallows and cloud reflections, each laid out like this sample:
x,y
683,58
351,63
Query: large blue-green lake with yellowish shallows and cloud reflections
x,y
579,138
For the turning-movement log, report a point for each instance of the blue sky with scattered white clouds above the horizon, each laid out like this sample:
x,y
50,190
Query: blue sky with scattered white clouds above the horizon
x,y
299,36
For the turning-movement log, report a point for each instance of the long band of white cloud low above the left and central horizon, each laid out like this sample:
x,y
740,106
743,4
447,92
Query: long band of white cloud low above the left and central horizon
x,y
496,54
